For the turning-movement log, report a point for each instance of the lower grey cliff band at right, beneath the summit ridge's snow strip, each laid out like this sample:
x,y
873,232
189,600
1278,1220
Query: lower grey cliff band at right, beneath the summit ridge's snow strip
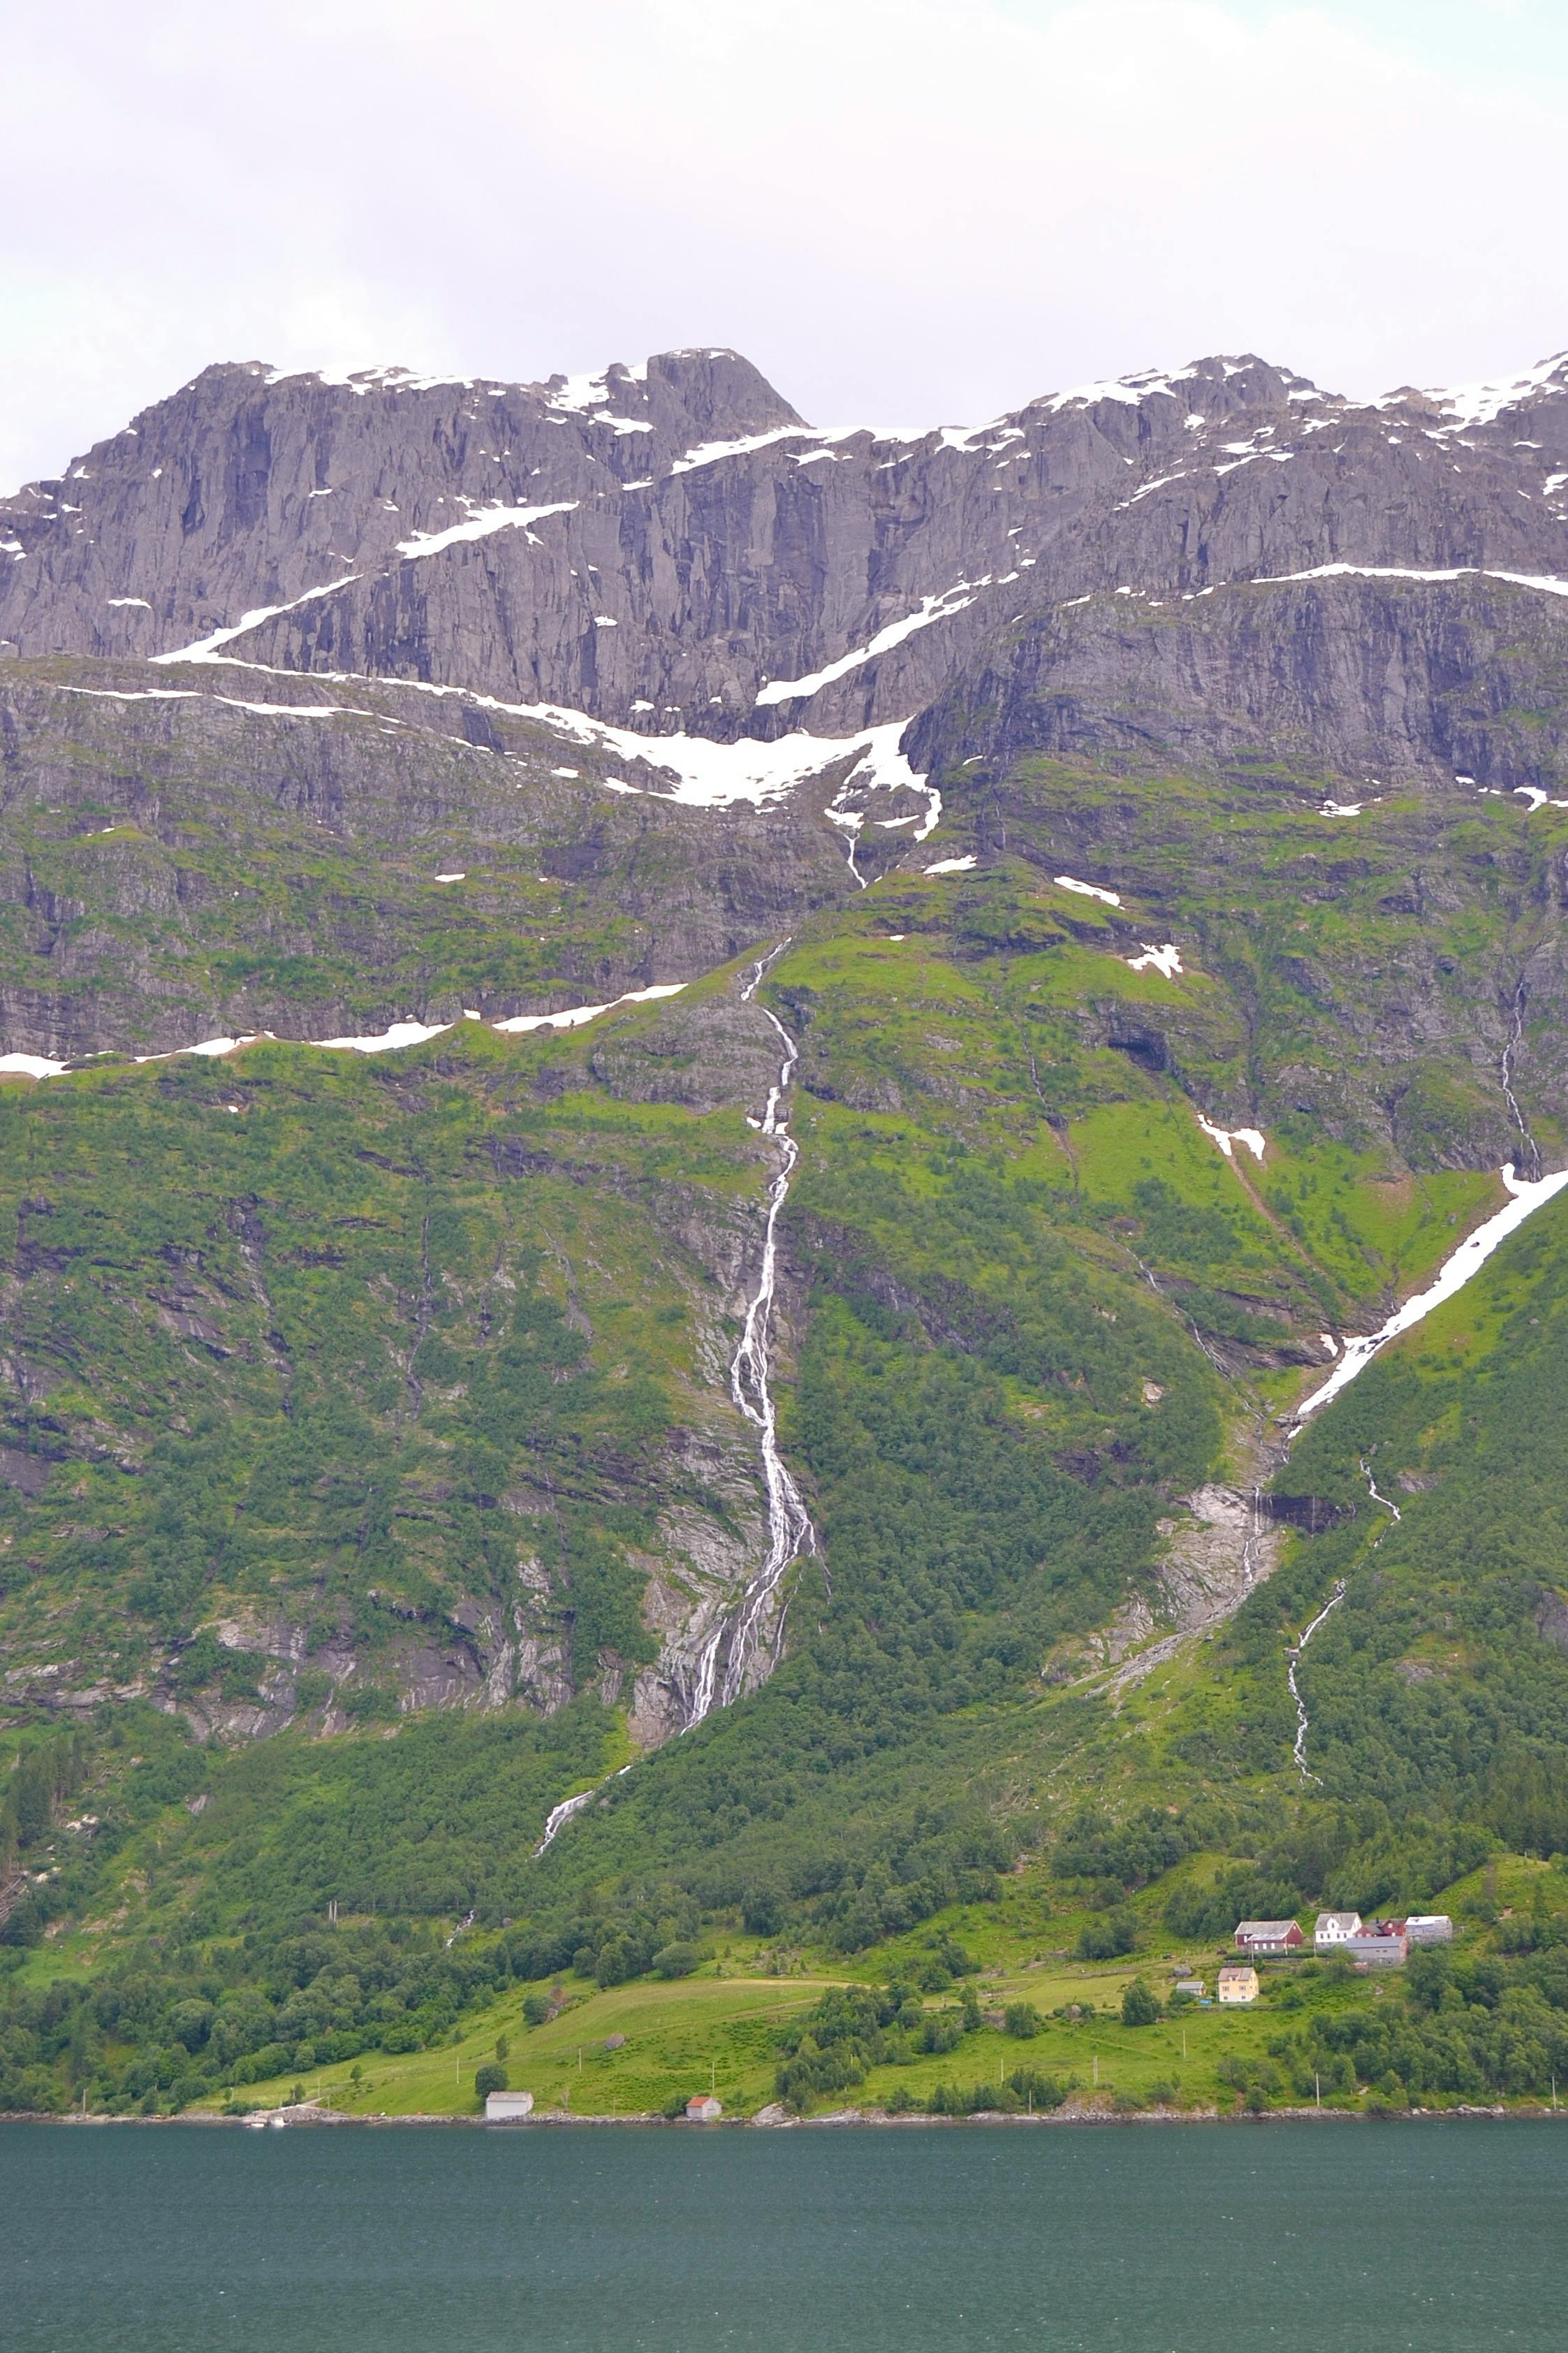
x,y
1374,681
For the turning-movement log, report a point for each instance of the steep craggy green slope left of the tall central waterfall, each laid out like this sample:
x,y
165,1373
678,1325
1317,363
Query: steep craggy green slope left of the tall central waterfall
x,y
366,1361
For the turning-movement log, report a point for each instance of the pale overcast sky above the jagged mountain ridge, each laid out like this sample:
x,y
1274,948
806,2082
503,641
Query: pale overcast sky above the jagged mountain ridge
x,y
904,211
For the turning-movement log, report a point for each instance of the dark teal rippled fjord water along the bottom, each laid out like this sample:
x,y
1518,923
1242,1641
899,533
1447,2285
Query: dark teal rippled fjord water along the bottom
x,y
1445,2239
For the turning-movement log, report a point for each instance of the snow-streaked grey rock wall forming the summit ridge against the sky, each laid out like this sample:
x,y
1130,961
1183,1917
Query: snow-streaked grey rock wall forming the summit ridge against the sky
x,y
676,549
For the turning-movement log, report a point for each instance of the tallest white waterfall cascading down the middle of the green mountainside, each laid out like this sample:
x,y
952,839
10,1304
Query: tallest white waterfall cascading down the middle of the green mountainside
x,y
737,1641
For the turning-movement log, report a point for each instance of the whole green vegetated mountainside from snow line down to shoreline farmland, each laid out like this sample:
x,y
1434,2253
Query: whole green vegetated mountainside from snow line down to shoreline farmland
x,y
406,1380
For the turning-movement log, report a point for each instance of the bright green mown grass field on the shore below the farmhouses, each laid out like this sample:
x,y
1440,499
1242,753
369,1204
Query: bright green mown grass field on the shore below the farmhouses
x,y
721,2027
